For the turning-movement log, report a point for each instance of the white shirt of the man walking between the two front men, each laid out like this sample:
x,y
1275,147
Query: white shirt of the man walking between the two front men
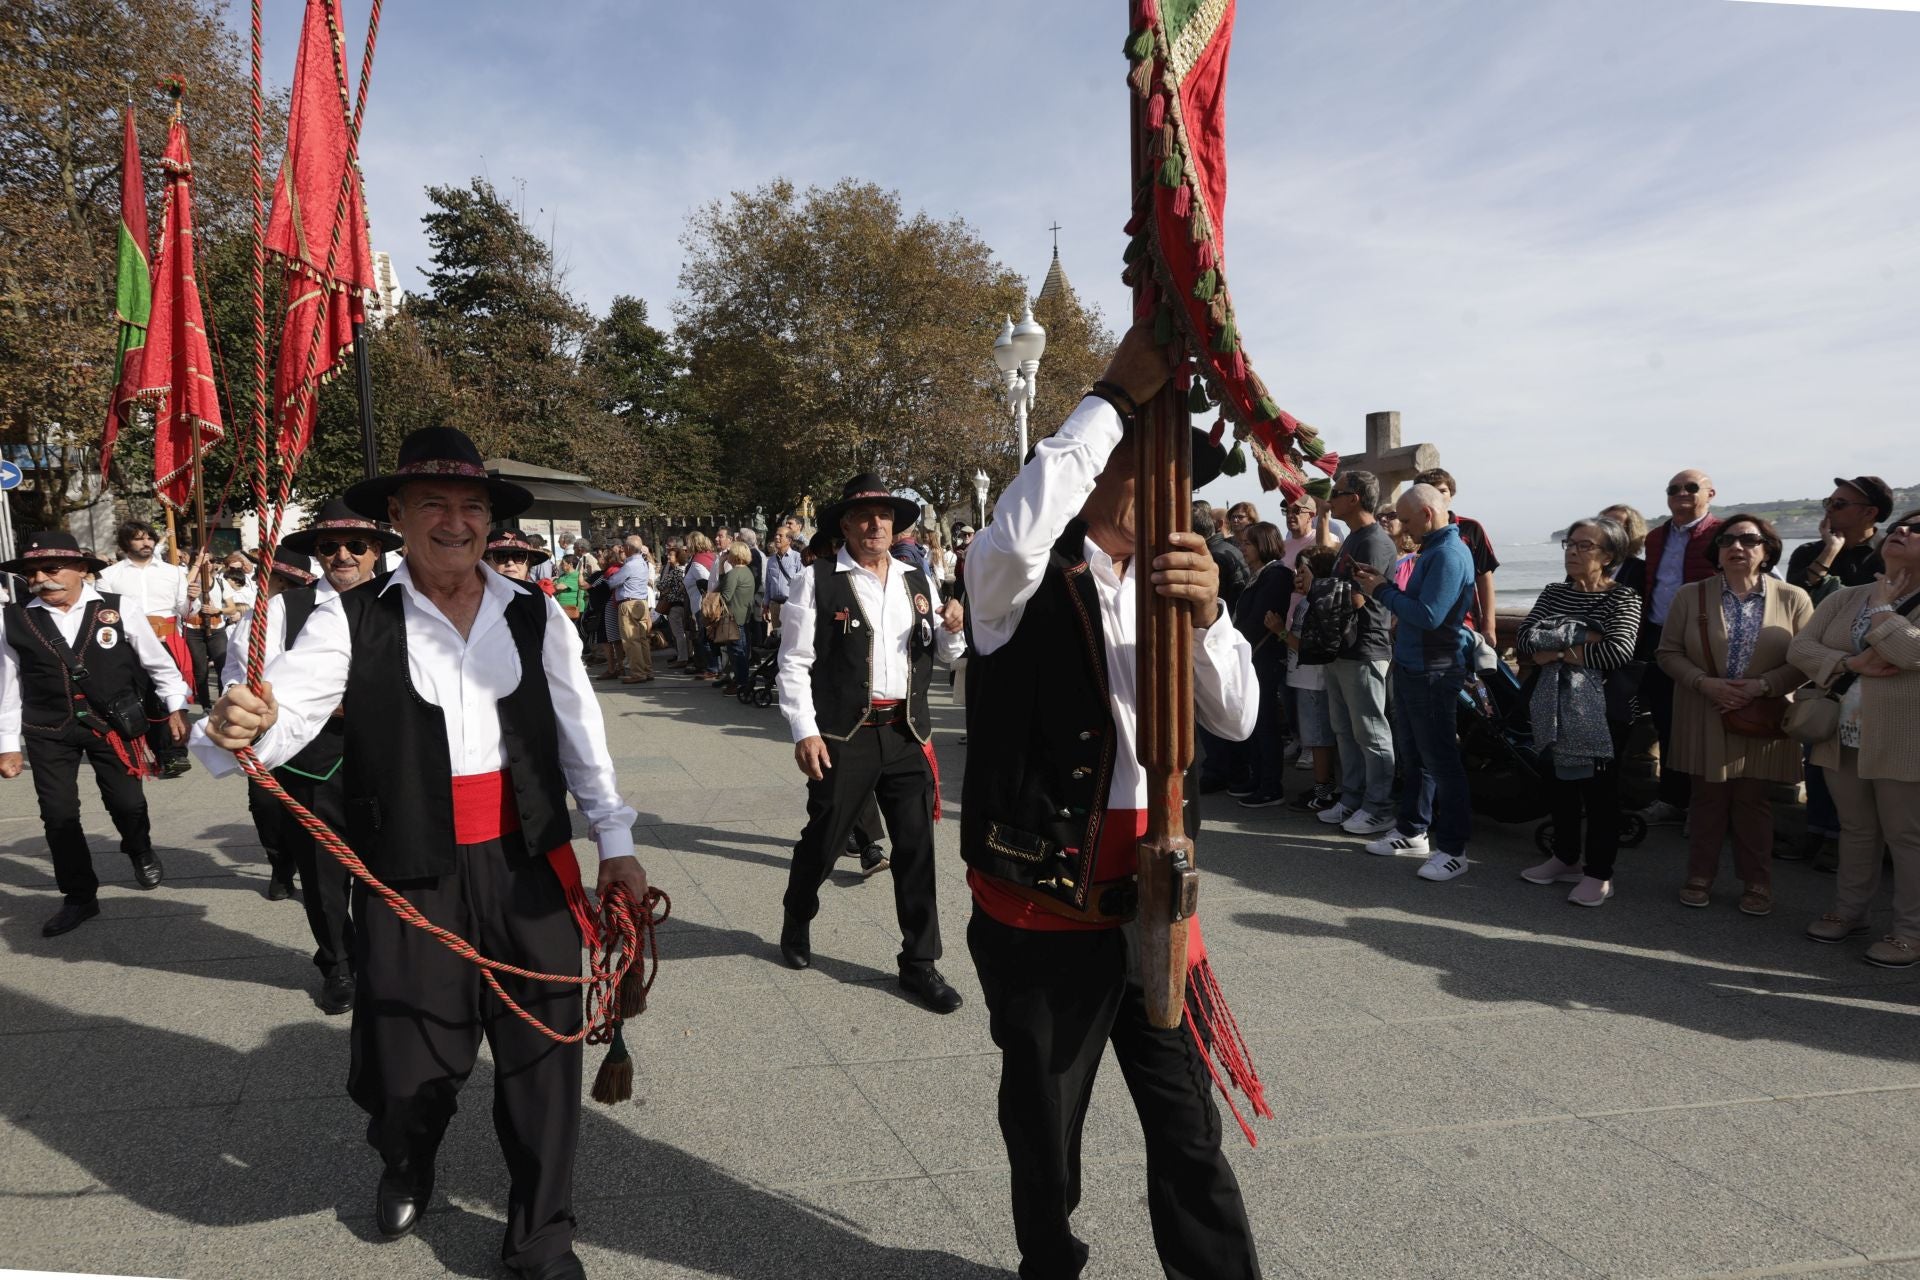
x,y
888,607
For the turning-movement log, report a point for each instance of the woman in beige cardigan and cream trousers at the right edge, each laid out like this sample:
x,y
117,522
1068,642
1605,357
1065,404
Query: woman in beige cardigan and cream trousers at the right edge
x,y
1865,644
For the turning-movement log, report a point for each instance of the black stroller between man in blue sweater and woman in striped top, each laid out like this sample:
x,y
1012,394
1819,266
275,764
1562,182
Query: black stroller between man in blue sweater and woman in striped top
x,y
1506,776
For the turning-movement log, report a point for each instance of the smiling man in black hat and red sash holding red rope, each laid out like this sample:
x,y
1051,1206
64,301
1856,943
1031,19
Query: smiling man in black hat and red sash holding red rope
x,y
468,723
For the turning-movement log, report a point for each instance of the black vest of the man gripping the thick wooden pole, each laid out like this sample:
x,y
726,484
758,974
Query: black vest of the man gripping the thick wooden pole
x,y
1042,740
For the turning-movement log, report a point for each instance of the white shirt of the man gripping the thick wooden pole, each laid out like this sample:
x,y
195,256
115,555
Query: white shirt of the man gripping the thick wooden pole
x,y
1007,563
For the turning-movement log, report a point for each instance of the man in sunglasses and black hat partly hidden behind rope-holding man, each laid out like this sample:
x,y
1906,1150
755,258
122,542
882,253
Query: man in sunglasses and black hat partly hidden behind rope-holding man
x,y
348,548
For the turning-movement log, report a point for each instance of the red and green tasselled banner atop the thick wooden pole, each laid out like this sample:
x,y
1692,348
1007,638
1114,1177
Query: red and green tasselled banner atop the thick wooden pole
x,y
1178,256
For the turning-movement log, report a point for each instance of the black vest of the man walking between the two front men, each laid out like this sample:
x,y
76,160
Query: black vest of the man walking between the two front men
x,y
844,652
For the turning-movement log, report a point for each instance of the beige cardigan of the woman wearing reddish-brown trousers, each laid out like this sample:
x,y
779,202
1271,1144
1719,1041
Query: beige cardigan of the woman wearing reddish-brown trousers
x,y
1700,746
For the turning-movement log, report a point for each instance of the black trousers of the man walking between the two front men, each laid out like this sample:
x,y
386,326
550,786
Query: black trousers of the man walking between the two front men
x,y
890,767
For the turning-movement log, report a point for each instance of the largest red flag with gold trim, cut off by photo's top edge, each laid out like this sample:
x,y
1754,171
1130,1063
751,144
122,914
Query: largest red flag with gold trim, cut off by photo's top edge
x,y
320,239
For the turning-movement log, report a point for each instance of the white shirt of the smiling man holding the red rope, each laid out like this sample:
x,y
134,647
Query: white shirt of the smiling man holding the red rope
x,y
462,676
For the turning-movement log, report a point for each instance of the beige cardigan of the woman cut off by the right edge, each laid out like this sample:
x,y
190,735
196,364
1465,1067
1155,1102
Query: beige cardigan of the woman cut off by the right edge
x,y
1890,705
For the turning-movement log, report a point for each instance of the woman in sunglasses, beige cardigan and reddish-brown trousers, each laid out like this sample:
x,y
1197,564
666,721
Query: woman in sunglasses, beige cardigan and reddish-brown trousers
x,y
1725,646
